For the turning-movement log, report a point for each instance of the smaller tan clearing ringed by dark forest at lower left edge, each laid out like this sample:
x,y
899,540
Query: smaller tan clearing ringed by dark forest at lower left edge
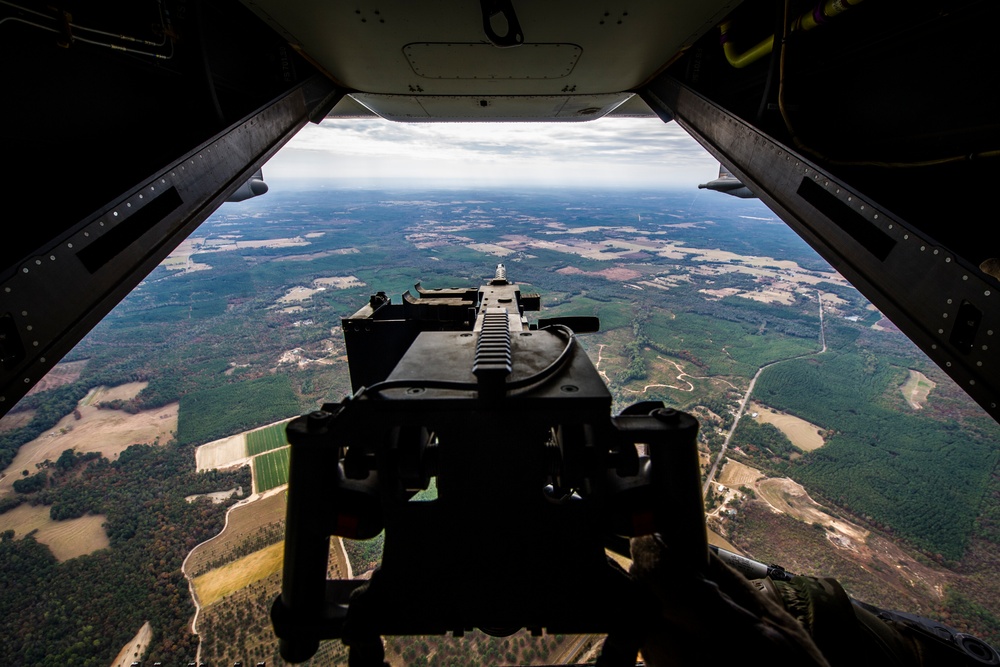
x,y
67,539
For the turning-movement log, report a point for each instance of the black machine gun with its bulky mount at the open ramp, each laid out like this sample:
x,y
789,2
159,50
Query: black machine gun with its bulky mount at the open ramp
x,y
535,479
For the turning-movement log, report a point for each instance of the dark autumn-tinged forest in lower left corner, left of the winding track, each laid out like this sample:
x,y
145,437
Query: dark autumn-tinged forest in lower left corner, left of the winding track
x,y
82,611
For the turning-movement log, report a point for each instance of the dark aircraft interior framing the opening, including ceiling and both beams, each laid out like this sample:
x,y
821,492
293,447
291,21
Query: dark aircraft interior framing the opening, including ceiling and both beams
x,y
871,128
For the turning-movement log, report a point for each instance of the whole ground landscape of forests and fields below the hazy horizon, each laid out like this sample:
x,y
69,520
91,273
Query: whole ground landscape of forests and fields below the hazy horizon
x,y
142,483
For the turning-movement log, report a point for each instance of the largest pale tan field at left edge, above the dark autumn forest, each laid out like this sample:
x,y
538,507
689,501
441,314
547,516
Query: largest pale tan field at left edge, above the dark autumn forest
x,y
109,432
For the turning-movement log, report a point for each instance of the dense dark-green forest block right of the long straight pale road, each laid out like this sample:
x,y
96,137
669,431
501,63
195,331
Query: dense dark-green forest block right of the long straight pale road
x,y
910,475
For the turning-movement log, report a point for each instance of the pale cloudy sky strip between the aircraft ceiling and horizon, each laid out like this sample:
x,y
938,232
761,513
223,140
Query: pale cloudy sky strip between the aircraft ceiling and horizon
x,y
610,152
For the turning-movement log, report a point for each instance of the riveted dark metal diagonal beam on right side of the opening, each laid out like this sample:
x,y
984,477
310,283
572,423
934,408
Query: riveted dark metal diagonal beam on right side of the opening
x,y
935,296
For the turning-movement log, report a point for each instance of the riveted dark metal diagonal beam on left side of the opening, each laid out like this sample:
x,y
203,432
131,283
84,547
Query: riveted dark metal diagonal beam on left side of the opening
x,y
56,296
